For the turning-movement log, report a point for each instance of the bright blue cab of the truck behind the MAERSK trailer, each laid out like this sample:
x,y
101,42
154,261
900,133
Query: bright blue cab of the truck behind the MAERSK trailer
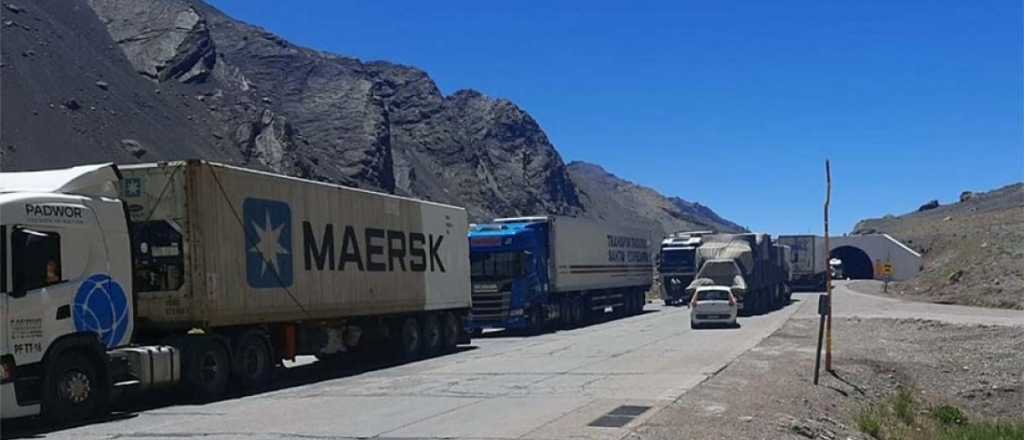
x,y
509,274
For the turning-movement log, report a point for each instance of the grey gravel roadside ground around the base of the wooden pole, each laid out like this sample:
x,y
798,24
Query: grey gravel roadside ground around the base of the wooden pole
x,y
769,392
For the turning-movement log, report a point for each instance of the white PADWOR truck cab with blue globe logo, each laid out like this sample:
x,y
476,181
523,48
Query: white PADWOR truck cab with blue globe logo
x,y
66,289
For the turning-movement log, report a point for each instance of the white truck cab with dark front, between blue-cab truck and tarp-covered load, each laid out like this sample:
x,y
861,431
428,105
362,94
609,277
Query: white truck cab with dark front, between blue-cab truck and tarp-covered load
x,y
677,265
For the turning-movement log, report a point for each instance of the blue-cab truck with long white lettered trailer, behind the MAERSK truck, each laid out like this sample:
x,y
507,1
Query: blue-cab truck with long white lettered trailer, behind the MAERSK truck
x,y
532,273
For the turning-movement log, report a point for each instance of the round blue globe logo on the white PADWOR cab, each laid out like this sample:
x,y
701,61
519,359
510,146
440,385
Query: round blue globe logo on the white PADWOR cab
x,y
102,307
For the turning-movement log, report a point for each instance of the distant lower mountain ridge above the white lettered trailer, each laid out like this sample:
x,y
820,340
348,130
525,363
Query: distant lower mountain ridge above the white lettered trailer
x,y
611,198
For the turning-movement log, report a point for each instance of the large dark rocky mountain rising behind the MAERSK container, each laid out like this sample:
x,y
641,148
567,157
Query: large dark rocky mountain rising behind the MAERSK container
x,y
150,80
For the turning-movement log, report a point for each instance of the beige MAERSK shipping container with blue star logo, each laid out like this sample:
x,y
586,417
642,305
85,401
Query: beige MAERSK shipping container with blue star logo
x,y
220,246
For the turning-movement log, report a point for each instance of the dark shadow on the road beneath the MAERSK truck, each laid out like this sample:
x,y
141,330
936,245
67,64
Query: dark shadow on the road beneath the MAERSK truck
x,y
285,378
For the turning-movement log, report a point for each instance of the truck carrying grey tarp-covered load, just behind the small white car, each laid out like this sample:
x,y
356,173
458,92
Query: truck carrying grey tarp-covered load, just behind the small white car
x,y
750,265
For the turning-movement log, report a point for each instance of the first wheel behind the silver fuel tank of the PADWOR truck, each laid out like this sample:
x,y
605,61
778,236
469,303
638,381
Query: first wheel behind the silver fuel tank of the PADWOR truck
x,y
207,368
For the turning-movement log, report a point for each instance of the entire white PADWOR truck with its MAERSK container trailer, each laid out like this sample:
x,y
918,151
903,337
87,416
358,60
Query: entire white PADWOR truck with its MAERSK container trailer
x,y
143,277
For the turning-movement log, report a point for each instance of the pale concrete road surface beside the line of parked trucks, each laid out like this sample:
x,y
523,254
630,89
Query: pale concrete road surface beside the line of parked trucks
x,y
552,386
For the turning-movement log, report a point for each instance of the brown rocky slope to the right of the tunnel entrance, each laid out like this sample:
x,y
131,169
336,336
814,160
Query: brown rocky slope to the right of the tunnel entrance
x,y
973,250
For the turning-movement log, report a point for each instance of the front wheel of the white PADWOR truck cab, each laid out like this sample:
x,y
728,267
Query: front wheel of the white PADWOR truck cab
x,y
73,391
